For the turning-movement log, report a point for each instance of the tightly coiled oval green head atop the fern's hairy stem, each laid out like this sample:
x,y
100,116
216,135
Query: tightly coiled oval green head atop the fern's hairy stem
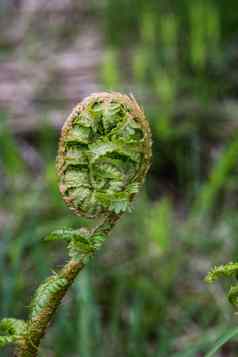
x,y
104,154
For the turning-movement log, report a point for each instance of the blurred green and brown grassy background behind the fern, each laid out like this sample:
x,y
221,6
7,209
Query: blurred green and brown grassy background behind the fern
x,y
144,294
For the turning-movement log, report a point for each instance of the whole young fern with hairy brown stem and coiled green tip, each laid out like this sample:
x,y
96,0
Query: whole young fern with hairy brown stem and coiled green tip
x,y
104,155
